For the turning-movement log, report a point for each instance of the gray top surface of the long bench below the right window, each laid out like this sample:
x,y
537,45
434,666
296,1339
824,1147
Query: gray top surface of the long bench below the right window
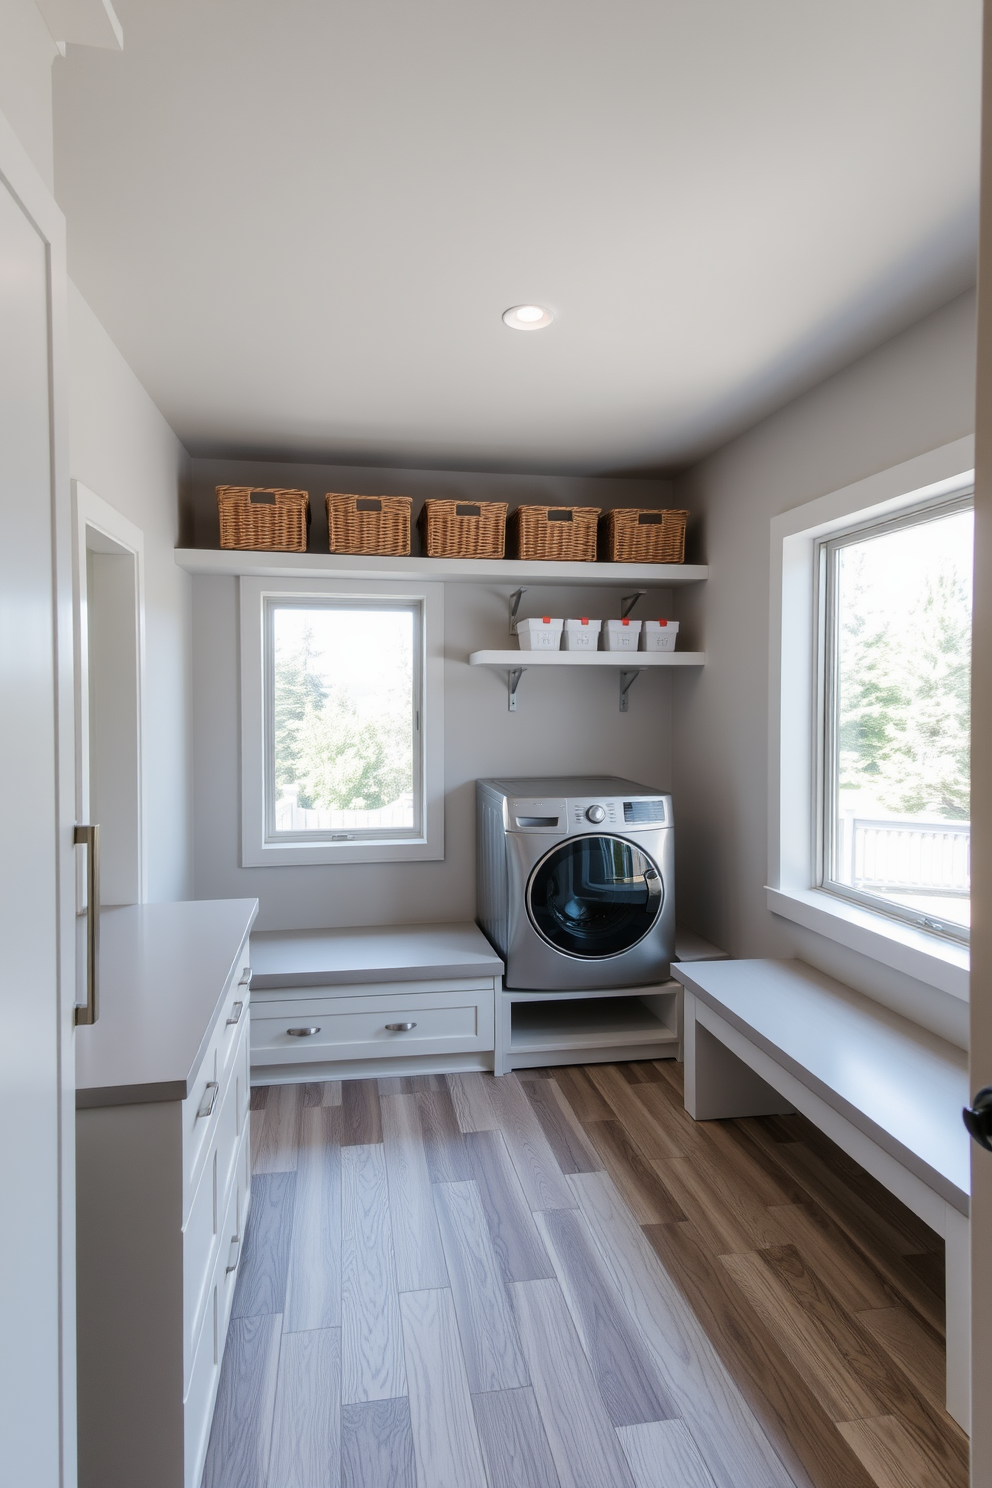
x,y
895,1081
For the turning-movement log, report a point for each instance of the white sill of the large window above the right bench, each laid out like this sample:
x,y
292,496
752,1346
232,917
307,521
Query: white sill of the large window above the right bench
x,y
927,958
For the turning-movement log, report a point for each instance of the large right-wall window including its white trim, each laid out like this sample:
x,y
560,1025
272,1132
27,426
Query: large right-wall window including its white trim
x,y
862,676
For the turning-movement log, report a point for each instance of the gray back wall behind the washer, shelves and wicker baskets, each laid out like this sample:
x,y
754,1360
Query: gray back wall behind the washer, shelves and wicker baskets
x,y
566,724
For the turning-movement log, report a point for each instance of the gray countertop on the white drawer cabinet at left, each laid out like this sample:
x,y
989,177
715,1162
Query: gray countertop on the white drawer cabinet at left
x,y
163,975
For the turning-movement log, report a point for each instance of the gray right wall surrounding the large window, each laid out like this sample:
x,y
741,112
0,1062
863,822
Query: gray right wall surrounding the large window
x,y
912,395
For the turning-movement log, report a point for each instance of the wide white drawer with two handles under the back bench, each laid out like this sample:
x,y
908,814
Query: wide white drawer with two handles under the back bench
x,y
358,1027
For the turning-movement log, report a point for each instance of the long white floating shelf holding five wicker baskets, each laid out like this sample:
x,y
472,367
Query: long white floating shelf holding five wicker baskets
x,y
447,571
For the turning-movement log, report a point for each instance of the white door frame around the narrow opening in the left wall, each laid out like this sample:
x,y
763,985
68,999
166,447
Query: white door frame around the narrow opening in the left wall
x,y
93,516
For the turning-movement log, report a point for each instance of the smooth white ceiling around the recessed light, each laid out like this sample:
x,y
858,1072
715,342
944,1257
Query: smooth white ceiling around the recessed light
x,y
301,221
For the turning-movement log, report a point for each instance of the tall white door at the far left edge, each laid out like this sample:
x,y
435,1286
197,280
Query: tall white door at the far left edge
x,y
36,855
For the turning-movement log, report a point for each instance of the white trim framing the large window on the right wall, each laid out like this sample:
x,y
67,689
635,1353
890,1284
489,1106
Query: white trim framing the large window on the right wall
x,y
792,679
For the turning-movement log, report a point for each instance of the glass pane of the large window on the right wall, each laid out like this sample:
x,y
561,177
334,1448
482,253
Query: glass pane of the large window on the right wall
x,y
901,827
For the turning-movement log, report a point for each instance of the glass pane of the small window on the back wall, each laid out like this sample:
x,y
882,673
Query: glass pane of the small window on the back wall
x,y
343,716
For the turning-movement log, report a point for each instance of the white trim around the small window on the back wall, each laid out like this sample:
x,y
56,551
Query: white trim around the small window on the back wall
x,y
431,844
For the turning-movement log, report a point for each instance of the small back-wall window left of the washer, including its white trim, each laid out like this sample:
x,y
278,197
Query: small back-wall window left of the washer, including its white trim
x,y
341,724
